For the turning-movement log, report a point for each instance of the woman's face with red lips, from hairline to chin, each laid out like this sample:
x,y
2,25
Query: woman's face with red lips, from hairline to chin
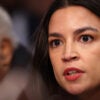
x,y
74,48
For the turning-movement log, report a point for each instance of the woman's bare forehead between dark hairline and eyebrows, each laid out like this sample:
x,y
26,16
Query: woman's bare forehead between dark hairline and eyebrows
x,y
75,16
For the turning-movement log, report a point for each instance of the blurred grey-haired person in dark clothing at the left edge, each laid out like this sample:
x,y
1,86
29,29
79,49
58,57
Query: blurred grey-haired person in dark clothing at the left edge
x,y
14,65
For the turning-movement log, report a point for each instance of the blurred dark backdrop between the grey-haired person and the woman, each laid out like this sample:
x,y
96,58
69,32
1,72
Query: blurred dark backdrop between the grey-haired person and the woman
x,y
26,16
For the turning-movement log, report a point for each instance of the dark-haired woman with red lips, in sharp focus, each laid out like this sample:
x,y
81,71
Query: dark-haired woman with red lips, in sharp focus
x,y
67,50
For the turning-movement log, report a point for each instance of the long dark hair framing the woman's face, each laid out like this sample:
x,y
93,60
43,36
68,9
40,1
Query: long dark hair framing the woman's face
x,y
41,61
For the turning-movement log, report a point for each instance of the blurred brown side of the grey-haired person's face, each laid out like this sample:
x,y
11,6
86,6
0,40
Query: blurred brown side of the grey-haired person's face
x,y
6,54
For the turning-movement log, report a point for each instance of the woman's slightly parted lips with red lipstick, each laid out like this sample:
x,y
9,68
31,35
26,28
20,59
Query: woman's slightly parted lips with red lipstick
x,y
72,74
